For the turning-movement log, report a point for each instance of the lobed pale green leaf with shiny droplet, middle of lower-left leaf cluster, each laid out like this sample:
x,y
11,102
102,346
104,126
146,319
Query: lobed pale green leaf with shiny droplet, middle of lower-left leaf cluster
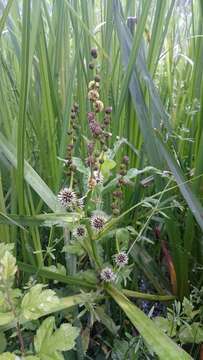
x,y
39,301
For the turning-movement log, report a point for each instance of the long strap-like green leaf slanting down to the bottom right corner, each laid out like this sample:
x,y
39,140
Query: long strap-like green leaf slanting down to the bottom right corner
x,y
160,343
